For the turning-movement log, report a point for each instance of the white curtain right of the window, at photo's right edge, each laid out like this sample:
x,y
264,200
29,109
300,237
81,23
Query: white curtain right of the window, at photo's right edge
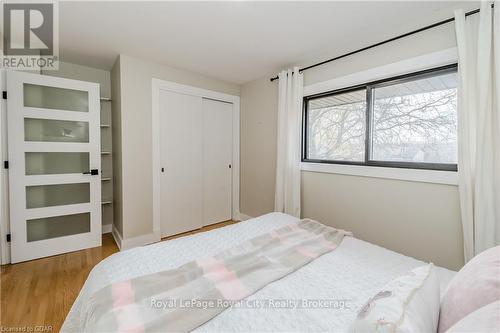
x,y
478,40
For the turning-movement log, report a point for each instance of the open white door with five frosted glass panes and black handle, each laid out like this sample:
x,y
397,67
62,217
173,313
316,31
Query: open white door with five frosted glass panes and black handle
x,y
54,158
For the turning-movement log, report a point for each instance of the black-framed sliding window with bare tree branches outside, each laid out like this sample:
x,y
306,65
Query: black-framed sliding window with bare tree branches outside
x,y
409,122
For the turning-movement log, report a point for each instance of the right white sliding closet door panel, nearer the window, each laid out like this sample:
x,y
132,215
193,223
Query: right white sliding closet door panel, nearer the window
x,y
217,159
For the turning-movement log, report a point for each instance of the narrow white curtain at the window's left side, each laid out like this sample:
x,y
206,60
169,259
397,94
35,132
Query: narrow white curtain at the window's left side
x,y
287,195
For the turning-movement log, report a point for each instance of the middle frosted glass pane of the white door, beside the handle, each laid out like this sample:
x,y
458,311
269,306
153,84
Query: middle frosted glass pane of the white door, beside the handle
x,y
50,163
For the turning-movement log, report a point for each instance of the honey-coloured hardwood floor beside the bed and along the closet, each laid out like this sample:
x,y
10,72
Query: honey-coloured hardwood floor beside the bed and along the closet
x,y
37,295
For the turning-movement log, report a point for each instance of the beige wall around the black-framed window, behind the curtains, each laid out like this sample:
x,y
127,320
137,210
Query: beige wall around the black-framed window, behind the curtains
x,y
417,219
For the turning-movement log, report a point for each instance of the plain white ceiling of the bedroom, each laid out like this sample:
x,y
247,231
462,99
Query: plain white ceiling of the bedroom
x,y
234,41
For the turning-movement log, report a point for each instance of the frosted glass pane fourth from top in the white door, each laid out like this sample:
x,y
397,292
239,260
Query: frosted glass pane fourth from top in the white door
x,y
57,195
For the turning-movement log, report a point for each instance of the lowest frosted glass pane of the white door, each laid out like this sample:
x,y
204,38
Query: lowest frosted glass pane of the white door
x,y
57,226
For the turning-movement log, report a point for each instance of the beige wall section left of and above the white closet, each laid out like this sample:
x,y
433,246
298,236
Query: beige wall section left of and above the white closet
x,y
136,156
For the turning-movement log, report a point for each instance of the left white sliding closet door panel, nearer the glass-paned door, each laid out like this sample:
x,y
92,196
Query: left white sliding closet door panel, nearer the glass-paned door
x,y
181,159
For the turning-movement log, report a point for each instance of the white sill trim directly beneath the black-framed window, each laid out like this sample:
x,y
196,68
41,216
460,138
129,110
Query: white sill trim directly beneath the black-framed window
x,y
412,175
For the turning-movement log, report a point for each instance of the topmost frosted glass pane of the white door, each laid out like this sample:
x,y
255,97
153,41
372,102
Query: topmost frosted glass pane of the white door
x,y
46,97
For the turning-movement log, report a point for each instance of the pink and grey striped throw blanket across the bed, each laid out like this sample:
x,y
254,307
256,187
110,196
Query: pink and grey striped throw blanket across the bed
x,y
181,299
